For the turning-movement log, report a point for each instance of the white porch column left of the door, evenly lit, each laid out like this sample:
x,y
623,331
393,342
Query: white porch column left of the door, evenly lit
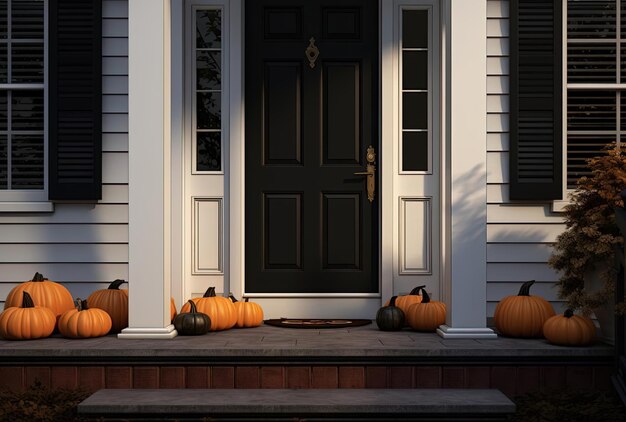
x,y
149,151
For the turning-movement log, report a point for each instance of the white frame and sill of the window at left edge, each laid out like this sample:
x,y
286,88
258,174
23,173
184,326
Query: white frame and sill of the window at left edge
x,y
26,200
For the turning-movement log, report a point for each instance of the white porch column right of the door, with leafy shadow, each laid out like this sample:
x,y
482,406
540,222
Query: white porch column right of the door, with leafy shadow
x,y
466,229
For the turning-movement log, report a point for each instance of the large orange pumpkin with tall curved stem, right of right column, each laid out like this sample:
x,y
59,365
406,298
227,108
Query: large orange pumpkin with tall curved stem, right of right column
x,y
522,315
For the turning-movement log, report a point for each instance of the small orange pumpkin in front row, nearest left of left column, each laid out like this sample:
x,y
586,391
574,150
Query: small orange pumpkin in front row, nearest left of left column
x,y
84,322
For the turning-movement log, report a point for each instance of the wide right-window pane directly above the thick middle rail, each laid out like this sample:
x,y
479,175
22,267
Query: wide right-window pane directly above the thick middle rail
x,y
591,63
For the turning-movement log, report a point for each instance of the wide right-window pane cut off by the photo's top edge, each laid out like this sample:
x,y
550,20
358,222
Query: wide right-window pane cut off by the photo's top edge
x,y
591,18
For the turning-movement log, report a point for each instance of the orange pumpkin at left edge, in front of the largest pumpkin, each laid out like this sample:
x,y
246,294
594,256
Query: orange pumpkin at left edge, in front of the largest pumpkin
x,y
27,322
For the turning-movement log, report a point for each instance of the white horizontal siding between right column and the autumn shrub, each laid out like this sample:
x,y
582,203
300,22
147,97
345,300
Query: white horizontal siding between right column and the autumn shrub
x,y
519,235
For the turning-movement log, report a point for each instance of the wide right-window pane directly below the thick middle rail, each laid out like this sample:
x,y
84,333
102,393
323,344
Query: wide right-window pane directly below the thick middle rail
x,y
591,110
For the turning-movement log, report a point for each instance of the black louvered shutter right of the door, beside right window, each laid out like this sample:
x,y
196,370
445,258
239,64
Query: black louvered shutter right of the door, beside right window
x,y
536,145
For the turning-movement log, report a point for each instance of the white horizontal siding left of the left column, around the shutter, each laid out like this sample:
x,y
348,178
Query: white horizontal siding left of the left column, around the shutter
x,y
83,246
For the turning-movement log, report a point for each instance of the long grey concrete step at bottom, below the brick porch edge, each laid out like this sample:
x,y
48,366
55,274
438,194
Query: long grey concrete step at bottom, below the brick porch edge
x,y
299,404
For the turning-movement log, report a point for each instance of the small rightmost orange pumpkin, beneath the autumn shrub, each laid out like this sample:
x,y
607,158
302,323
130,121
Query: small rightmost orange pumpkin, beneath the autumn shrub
x,y
569,330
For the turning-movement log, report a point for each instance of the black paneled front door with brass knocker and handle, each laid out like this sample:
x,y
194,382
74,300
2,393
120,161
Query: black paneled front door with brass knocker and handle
x,y
311,113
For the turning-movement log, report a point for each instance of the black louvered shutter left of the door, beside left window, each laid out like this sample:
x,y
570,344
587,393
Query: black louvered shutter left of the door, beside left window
x,y
75,99
